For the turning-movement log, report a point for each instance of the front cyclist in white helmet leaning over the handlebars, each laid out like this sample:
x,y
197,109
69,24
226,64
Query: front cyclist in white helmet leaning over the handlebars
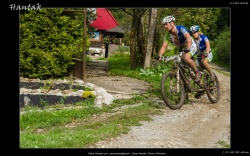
x,y
179,36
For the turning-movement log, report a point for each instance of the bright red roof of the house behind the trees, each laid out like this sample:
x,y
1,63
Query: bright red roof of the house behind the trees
x,y
105,20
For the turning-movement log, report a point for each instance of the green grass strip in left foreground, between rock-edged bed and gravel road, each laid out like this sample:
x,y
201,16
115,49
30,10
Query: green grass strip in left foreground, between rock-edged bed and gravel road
x,y
78,127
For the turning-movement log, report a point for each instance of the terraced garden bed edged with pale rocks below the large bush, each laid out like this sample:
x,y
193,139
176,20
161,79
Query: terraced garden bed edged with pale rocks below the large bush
x,y
60,92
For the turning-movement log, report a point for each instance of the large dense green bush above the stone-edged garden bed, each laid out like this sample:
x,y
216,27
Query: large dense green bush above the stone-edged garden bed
x,y
49,39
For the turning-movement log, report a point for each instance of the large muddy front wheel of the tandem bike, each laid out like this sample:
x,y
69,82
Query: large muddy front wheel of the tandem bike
x,y
173,93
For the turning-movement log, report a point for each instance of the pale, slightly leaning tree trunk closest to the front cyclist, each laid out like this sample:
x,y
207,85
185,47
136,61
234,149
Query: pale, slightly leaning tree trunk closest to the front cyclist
x,y
150,38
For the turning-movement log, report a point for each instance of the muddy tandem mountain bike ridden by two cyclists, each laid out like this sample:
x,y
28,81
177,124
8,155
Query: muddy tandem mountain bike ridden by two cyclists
x,y
179,82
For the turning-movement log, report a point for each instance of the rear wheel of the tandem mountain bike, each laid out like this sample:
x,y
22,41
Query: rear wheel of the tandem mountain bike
x,y
213,90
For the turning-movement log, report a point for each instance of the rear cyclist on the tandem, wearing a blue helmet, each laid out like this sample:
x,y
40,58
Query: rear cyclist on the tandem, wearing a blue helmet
x,y
204,50
